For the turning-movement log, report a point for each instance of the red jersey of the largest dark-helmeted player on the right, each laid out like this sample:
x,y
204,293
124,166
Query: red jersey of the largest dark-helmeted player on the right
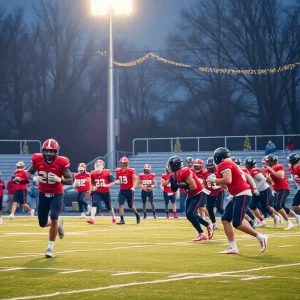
x,y
239,183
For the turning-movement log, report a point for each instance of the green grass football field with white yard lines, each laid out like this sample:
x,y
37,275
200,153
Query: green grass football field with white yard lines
x,y
153,260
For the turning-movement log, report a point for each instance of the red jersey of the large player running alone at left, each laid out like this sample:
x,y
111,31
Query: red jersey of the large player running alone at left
x,y
43,168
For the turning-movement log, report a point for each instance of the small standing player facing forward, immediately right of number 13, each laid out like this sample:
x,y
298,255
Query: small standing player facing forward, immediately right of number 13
x,y
147,182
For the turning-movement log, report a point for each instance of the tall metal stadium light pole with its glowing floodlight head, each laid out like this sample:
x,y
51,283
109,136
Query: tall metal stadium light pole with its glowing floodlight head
x,y
104,7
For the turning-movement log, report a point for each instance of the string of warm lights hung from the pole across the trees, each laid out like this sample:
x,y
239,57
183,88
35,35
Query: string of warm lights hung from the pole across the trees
x,y
208,69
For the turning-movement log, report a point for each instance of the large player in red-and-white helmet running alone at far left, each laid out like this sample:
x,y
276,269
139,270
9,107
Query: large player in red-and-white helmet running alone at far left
x,y
52,173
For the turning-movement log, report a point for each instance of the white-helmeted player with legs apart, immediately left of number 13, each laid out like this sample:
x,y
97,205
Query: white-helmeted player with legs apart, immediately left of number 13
x,y
101,181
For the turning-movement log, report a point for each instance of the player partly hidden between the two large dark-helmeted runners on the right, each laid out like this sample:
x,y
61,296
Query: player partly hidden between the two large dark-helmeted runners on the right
x,y
216,196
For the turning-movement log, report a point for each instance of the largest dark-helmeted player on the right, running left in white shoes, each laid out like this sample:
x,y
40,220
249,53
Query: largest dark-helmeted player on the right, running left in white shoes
x,y
235,210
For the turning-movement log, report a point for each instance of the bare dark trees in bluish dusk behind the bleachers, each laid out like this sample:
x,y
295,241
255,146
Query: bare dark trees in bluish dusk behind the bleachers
x,y
53,84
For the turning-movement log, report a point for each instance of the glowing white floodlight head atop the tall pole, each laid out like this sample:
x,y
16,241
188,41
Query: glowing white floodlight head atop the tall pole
x,y
102,7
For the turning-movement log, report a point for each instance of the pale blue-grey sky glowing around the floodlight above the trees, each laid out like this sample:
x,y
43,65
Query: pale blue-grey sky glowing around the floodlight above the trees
x,y
147,27
